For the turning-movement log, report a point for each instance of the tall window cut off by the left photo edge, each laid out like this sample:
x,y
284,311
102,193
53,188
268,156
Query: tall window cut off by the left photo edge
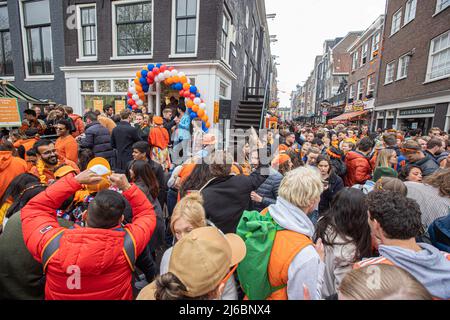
x,y
6,62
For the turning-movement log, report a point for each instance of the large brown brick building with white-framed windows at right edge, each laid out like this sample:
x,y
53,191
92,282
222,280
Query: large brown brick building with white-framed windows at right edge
x,y
414,82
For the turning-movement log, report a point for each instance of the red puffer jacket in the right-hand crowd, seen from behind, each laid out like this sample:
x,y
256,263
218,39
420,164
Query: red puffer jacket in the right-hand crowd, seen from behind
x,y
359,169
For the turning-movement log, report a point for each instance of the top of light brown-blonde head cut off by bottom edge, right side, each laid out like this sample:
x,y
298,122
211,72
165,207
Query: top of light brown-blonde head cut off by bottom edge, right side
x,y
382,282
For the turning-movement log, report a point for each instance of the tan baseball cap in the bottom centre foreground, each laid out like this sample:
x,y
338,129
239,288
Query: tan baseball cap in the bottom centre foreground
x,y
202,260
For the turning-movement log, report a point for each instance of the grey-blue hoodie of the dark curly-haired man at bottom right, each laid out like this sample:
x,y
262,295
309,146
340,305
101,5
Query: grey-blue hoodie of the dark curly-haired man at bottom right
x,y
430,267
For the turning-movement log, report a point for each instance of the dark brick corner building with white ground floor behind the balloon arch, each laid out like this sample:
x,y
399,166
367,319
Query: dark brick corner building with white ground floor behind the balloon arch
x,y
221,45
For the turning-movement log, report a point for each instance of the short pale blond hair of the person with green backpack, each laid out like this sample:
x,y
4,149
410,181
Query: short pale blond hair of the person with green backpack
x,y
301,187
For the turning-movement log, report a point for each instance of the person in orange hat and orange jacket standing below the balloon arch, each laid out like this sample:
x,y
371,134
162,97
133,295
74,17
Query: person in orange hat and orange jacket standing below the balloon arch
x,y
159,143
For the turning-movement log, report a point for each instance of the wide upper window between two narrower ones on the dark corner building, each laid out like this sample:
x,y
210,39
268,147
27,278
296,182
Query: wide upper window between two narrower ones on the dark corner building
x,y
133,23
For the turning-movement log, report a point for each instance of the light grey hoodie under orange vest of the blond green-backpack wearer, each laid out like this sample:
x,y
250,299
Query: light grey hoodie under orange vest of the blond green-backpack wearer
x,y
306,268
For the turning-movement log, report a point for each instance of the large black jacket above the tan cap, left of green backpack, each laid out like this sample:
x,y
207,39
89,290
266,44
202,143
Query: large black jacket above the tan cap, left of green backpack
x,y
227,198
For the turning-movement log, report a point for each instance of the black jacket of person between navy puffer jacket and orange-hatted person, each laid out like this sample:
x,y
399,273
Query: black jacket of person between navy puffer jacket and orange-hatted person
x,y
122,139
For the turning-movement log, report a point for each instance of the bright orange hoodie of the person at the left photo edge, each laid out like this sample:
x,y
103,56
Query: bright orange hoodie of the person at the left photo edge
x,y
10,168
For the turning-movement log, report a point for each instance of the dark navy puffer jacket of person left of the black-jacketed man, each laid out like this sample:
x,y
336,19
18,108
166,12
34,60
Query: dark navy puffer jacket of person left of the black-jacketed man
x,y
98,140
